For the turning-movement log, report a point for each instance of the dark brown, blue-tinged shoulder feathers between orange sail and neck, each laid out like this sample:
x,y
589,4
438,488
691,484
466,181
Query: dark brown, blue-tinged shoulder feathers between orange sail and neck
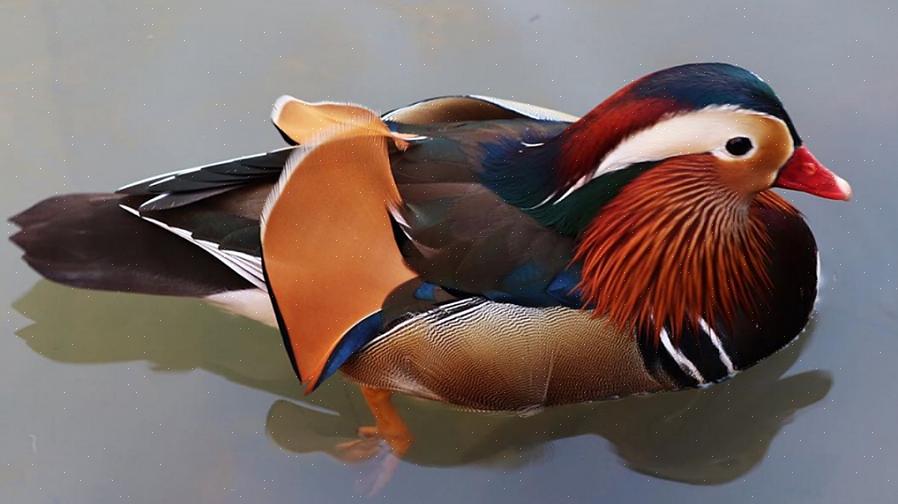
x,y
458,233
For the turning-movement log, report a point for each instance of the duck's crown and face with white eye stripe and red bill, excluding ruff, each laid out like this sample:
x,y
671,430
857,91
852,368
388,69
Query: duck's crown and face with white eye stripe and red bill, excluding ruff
x,y
720,115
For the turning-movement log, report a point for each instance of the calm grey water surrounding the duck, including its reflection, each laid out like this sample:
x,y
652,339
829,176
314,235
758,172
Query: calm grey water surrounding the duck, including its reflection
x,y
108,397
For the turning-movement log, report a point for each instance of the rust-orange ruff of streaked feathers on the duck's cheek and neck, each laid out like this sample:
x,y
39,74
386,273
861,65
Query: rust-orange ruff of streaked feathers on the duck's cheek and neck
x,y
677,245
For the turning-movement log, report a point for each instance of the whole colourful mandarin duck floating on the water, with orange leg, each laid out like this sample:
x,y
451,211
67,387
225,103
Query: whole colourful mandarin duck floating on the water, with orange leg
x,y
480,251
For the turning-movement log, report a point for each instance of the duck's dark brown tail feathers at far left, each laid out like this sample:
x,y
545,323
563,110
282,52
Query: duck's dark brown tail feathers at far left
x,y
86,240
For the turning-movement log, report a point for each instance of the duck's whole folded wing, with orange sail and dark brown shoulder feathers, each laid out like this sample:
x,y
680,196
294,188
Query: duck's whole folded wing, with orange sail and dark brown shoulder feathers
x,y
331,211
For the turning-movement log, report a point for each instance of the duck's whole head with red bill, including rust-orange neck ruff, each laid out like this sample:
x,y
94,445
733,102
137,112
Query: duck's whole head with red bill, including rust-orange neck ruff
x,y
674,173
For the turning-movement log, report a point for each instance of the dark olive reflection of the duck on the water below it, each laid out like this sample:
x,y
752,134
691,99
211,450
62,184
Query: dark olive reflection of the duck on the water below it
x,y
702,436
